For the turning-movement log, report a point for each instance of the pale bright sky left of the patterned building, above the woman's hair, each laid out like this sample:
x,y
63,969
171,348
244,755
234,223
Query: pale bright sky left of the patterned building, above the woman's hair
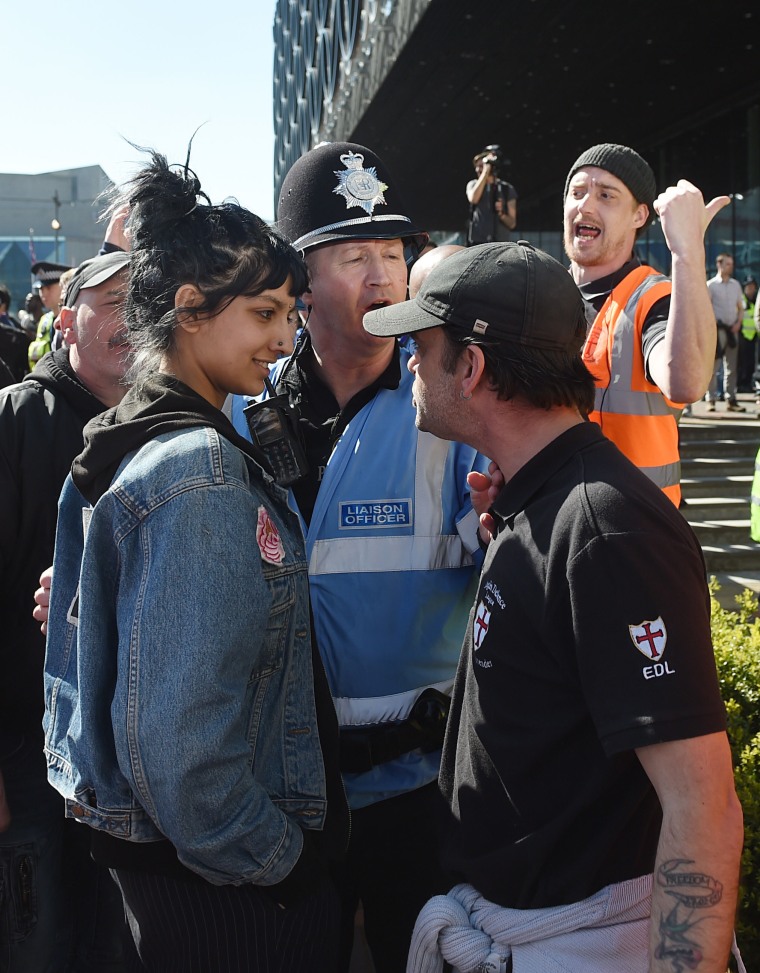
x,y
81,77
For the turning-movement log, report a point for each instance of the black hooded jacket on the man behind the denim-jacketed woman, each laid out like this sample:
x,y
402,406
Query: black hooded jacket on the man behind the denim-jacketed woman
x,y
41,423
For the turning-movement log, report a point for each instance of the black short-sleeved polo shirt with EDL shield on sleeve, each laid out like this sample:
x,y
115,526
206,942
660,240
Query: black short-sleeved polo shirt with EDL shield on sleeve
x,y
589,636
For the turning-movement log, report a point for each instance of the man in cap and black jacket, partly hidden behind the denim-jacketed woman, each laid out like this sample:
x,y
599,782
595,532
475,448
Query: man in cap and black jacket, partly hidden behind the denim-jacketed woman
x,y
57,903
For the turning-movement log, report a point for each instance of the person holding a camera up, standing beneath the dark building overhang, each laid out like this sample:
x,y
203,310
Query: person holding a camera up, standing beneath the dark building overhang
x,y
493,201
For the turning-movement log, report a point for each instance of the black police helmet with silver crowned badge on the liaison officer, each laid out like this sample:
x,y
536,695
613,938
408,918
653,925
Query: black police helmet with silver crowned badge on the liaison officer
x,y
342,191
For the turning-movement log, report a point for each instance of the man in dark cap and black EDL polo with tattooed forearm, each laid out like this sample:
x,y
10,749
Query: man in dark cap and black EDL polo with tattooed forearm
x,y
586,765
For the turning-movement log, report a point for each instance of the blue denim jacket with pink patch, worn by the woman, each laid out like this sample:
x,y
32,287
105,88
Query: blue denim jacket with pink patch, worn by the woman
x,y
178,678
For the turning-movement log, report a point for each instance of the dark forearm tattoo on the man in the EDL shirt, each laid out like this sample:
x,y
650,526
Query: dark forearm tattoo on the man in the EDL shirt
x,y
680,941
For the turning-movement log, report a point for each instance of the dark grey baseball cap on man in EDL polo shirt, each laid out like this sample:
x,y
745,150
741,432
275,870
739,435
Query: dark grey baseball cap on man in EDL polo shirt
x,y
509,292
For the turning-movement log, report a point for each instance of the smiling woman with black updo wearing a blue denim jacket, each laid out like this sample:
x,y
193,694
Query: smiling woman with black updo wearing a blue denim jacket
x,y
188,720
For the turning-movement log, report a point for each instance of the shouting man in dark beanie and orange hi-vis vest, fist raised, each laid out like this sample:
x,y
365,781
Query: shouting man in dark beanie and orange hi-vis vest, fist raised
x,y
651,340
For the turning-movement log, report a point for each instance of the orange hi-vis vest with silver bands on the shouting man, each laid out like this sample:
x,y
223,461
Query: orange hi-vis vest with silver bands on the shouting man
x,y
630,409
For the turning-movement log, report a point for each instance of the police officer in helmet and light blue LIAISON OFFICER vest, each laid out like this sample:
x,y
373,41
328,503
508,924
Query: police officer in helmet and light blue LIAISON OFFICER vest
x,y
391,534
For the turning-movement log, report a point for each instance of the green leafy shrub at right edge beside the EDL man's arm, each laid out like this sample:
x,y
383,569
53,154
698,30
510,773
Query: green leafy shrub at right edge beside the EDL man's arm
x,y
736,638
